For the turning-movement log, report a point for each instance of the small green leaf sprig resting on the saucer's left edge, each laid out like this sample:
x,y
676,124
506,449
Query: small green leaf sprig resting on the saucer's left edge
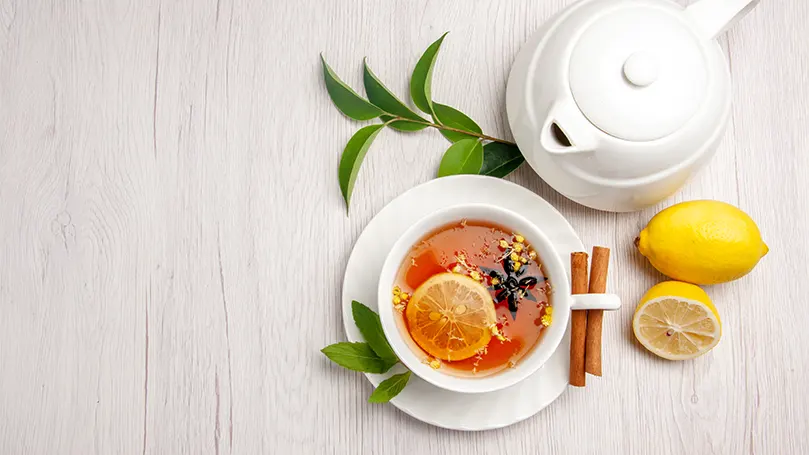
x,y
373,356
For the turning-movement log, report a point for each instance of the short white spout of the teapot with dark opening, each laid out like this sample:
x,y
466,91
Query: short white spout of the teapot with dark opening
x,y
566,130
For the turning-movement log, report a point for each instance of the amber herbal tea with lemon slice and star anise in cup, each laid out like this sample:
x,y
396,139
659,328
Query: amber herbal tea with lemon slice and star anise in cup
x,y
472,298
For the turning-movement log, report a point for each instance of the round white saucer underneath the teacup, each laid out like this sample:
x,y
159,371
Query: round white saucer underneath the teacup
x,y
458,411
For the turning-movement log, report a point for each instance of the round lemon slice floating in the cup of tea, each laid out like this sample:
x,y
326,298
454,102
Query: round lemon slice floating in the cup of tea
x,y
451,316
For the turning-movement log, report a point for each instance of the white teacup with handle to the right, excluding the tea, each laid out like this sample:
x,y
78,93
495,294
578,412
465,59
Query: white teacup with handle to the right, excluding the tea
x,y
561,299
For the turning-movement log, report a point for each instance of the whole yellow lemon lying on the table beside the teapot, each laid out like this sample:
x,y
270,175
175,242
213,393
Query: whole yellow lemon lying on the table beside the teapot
x,y
702,242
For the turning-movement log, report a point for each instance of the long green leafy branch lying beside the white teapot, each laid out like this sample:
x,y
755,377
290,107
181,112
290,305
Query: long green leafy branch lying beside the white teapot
x,y
471,152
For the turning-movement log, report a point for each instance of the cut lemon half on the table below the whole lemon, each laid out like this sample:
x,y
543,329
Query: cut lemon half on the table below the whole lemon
x,y
677,321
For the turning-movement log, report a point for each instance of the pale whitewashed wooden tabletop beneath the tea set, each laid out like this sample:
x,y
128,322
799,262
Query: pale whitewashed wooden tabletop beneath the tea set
x,y
172,236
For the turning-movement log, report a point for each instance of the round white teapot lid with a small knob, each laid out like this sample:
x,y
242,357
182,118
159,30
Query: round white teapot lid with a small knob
x,y
638,72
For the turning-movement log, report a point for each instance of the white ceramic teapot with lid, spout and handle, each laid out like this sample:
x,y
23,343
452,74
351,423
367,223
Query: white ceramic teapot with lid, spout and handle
x,y
616,103
